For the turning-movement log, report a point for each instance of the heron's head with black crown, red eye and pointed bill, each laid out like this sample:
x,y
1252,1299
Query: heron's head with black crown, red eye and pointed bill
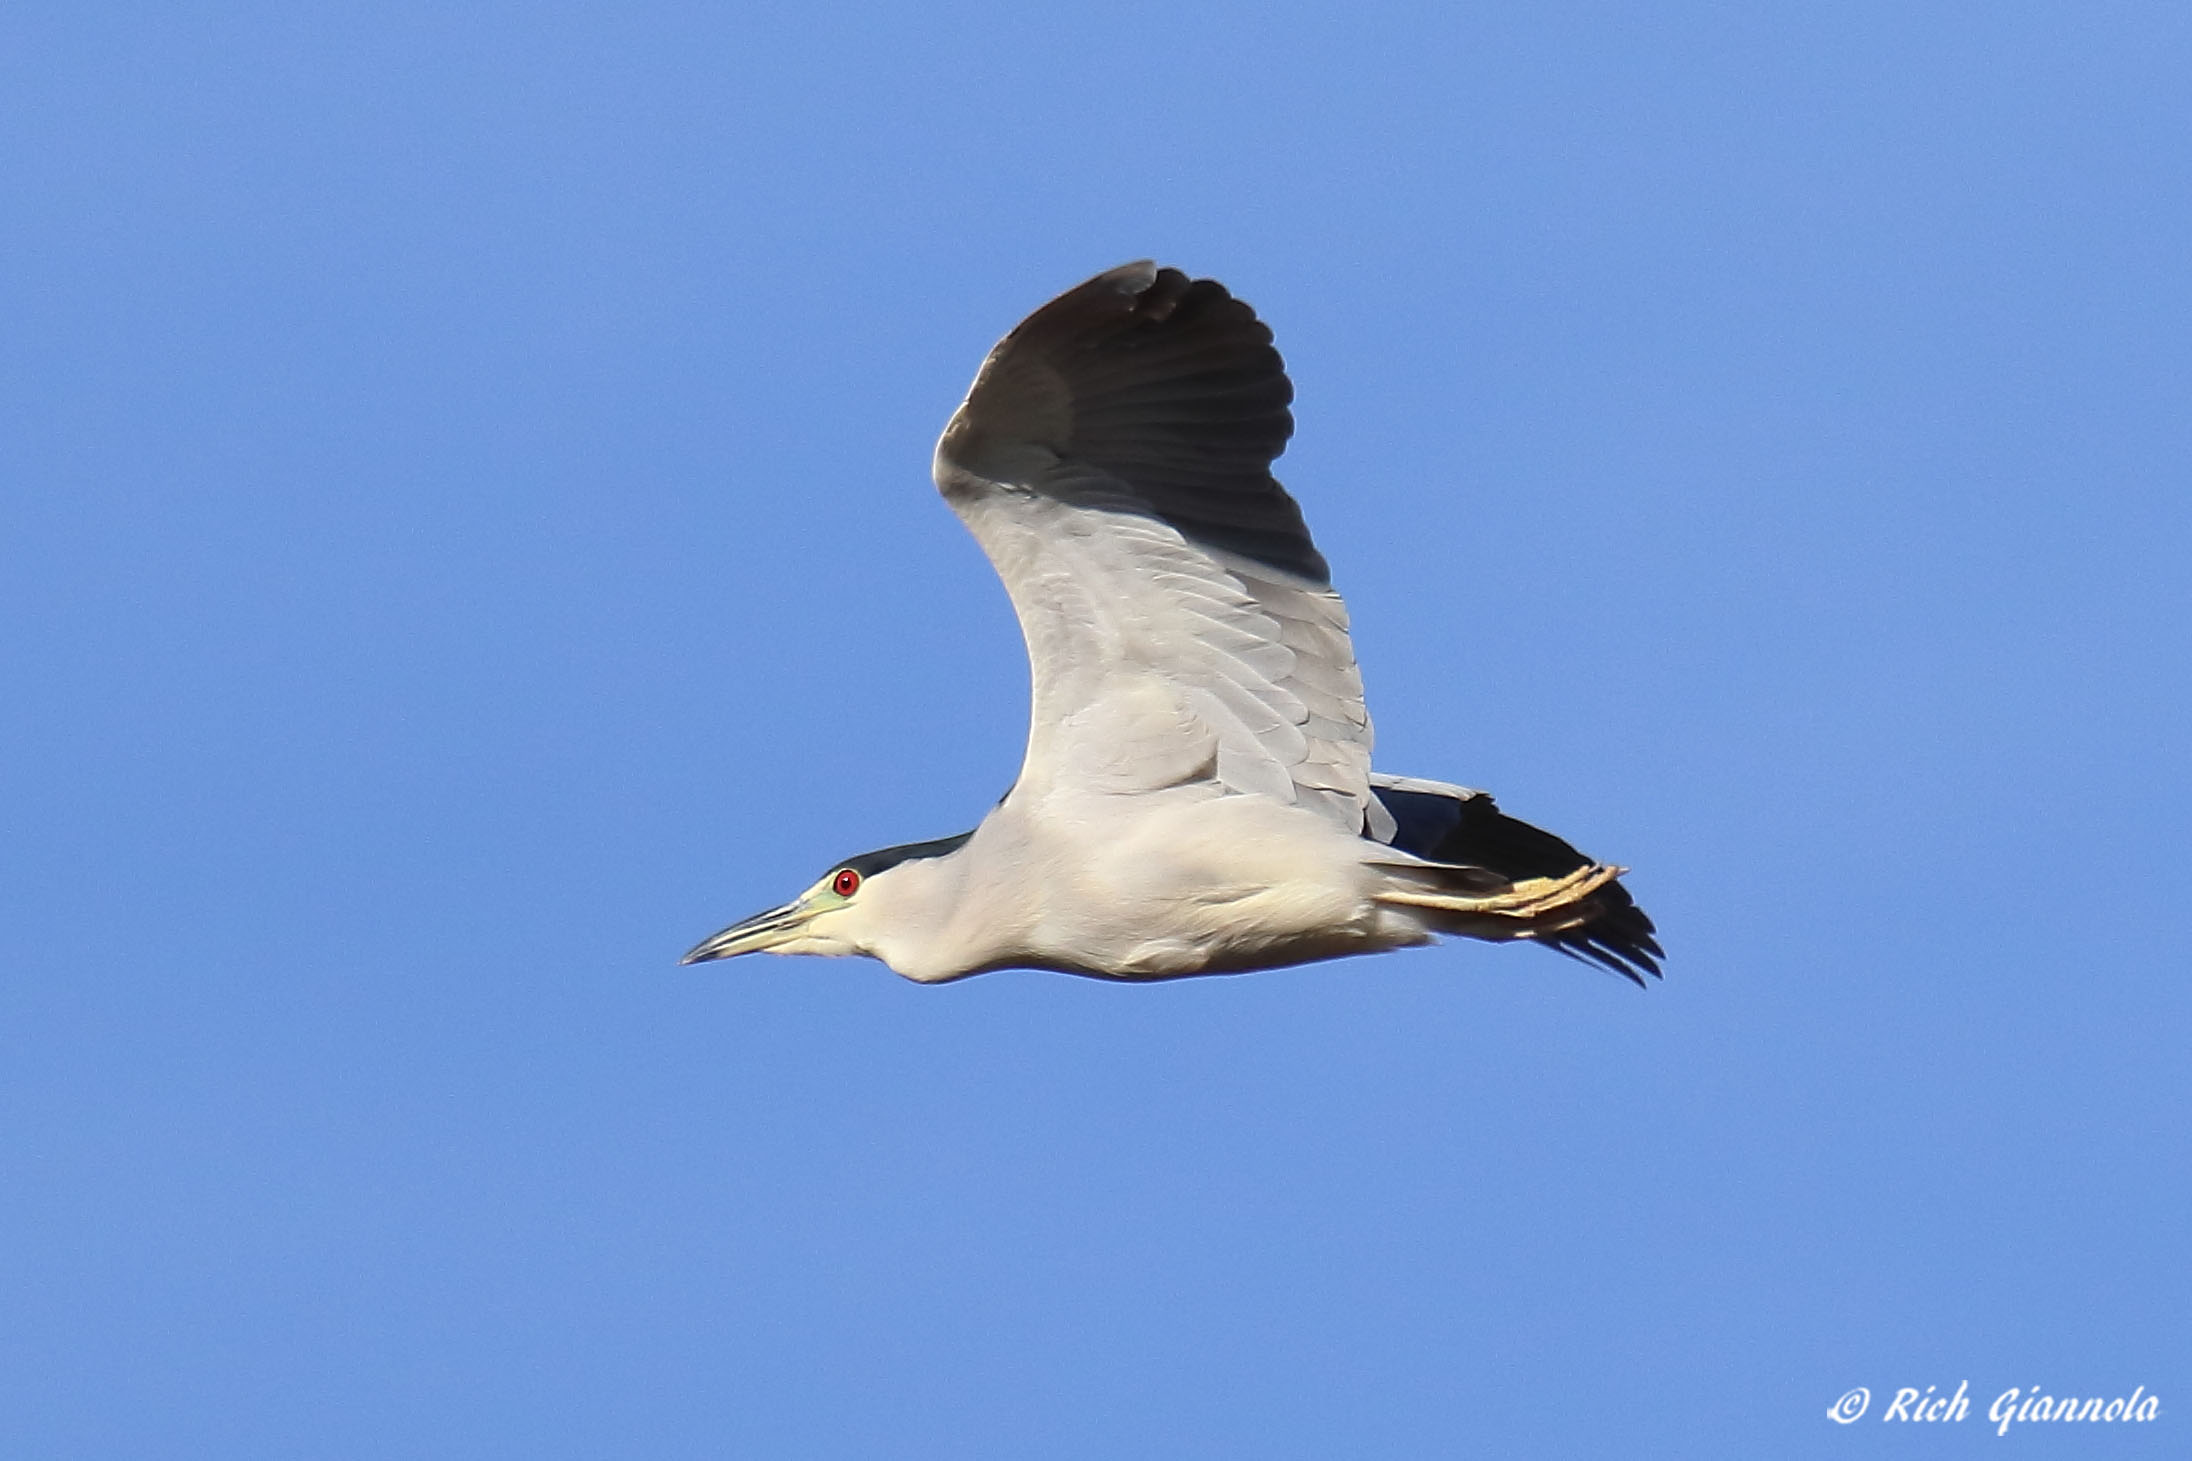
x,y
860,906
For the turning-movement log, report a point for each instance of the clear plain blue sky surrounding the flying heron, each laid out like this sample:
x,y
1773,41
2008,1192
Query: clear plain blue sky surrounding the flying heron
x,y
466,536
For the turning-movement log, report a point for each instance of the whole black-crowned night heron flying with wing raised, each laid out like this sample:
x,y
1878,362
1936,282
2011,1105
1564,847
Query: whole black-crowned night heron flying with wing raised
x,y
1198,792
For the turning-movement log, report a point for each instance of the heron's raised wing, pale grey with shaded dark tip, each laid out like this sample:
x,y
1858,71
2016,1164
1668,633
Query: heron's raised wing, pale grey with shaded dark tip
x,y
1115,461
